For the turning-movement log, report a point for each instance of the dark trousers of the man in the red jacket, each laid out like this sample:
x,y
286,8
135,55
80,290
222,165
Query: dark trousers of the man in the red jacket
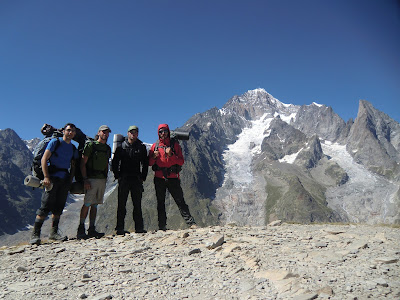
x,y
174,187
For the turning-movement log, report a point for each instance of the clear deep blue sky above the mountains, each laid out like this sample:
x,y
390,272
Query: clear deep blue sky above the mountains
x,y
148,62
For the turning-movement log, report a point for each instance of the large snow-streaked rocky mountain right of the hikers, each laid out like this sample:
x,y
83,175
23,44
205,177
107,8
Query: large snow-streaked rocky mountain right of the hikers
x,y
259,159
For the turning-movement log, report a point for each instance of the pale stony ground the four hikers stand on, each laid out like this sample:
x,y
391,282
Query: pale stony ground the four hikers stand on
x,y
279,261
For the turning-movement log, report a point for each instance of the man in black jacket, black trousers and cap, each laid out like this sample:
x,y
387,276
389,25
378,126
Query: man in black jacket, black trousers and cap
x,y
130,166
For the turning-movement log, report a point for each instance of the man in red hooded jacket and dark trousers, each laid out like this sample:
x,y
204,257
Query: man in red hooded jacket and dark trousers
x,y
166,159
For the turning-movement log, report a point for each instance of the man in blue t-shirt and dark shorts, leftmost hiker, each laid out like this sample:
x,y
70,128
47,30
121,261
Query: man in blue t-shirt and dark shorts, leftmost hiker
x,y
60,155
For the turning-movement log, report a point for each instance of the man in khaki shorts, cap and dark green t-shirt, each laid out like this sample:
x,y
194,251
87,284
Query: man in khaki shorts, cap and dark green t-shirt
x,y
94,169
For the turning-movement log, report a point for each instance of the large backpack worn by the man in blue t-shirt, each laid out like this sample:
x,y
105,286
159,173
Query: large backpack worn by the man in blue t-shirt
x,y
38,154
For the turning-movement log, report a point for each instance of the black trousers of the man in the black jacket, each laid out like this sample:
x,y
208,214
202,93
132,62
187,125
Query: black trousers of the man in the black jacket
x,y
135,187
